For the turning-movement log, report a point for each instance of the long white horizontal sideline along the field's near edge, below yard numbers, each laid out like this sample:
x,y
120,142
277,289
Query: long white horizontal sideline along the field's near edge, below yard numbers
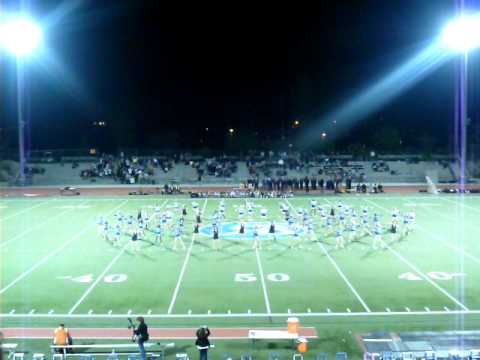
x,y
245,315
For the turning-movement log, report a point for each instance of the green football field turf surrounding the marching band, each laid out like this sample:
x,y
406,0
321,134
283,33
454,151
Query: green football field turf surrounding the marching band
x,y
41,239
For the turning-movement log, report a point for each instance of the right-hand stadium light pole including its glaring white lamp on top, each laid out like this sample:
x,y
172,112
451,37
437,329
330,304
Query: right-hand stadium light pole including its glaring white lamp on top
x,y
461,36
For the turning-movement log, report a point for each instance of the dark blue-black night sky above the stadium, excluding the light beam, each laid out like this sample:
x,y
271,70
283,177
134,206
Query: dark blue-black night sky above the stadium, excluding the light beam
x,y
160,74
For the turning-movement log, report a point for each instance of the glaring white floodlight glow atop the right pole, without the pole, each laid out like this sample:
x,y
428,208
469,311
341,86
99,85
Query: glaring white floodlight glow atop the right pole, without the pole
x,y
463,33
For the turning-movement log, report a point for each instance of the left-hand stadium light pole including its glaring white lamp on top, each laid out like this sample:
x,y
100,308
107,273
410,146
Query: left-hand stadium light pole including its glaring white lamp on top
x,y
20,37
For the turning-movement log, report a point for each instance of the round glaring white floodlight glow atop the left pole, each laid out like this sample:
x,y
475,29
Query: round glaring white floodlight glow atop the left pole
x,y
20,36
